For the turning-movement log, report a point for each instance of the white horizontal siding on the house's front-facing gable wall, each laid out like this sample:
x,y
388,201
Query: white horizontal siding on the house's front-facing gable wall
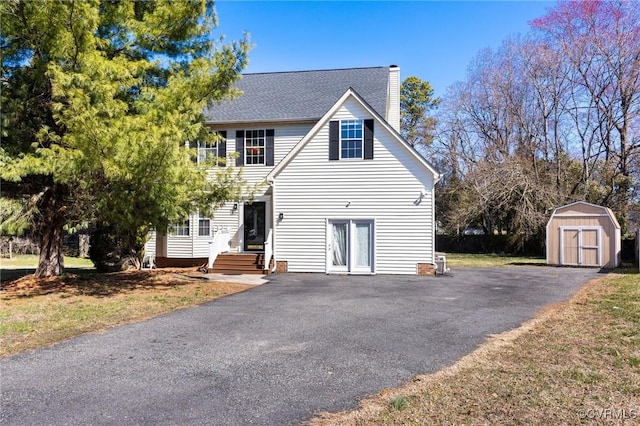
x,y
387,189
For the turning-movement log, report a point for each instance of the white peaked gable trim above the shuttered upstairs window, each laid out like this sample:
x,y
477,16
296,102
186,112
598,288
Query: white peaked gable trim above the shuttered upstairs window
x,y
350,93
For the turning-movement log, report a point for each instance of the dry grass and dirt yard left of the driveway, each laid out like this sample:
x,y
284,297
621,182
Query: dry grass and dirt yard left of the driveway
x,y
35,312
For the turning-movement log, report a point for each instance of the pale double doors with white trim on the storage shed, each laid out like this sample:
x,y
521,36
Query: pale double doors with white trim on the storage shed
x,y
580,246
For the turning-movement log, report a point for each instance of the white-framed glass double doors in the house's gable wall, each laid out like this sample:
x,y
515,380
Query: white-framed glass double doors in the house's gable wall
x,y
350,246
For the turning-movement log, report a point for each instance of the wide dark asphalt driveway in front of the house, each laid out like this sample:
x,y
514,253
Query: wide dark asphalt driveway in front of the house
x,y
276,354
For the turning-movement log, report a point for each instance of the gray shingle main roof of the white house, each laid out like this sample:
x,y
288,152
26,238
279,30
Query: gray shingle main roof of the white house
x,y
299,95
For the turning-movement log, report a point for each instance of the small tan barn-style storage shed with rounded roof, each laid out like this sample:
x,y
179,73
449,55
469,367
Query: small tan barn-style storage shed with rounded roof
x,y
583,234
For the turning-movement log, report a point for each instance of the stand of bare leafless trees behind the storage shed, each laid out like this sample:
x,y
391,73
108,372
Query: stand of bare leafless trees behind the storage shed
x,y
546,119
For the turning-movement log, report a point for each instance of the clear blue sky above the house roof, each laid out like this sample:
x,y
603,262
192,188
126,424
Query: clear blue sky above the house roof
x,y
433,40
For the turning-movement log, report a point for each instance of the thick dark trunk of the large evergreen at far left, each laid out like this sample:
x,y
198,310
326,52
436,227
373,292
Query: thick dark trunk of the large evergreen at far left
x,y
51,229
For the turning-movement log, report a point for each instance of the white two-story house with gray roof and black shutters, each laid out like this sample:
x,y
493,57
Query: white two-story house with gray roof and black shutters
x,y
339,190
